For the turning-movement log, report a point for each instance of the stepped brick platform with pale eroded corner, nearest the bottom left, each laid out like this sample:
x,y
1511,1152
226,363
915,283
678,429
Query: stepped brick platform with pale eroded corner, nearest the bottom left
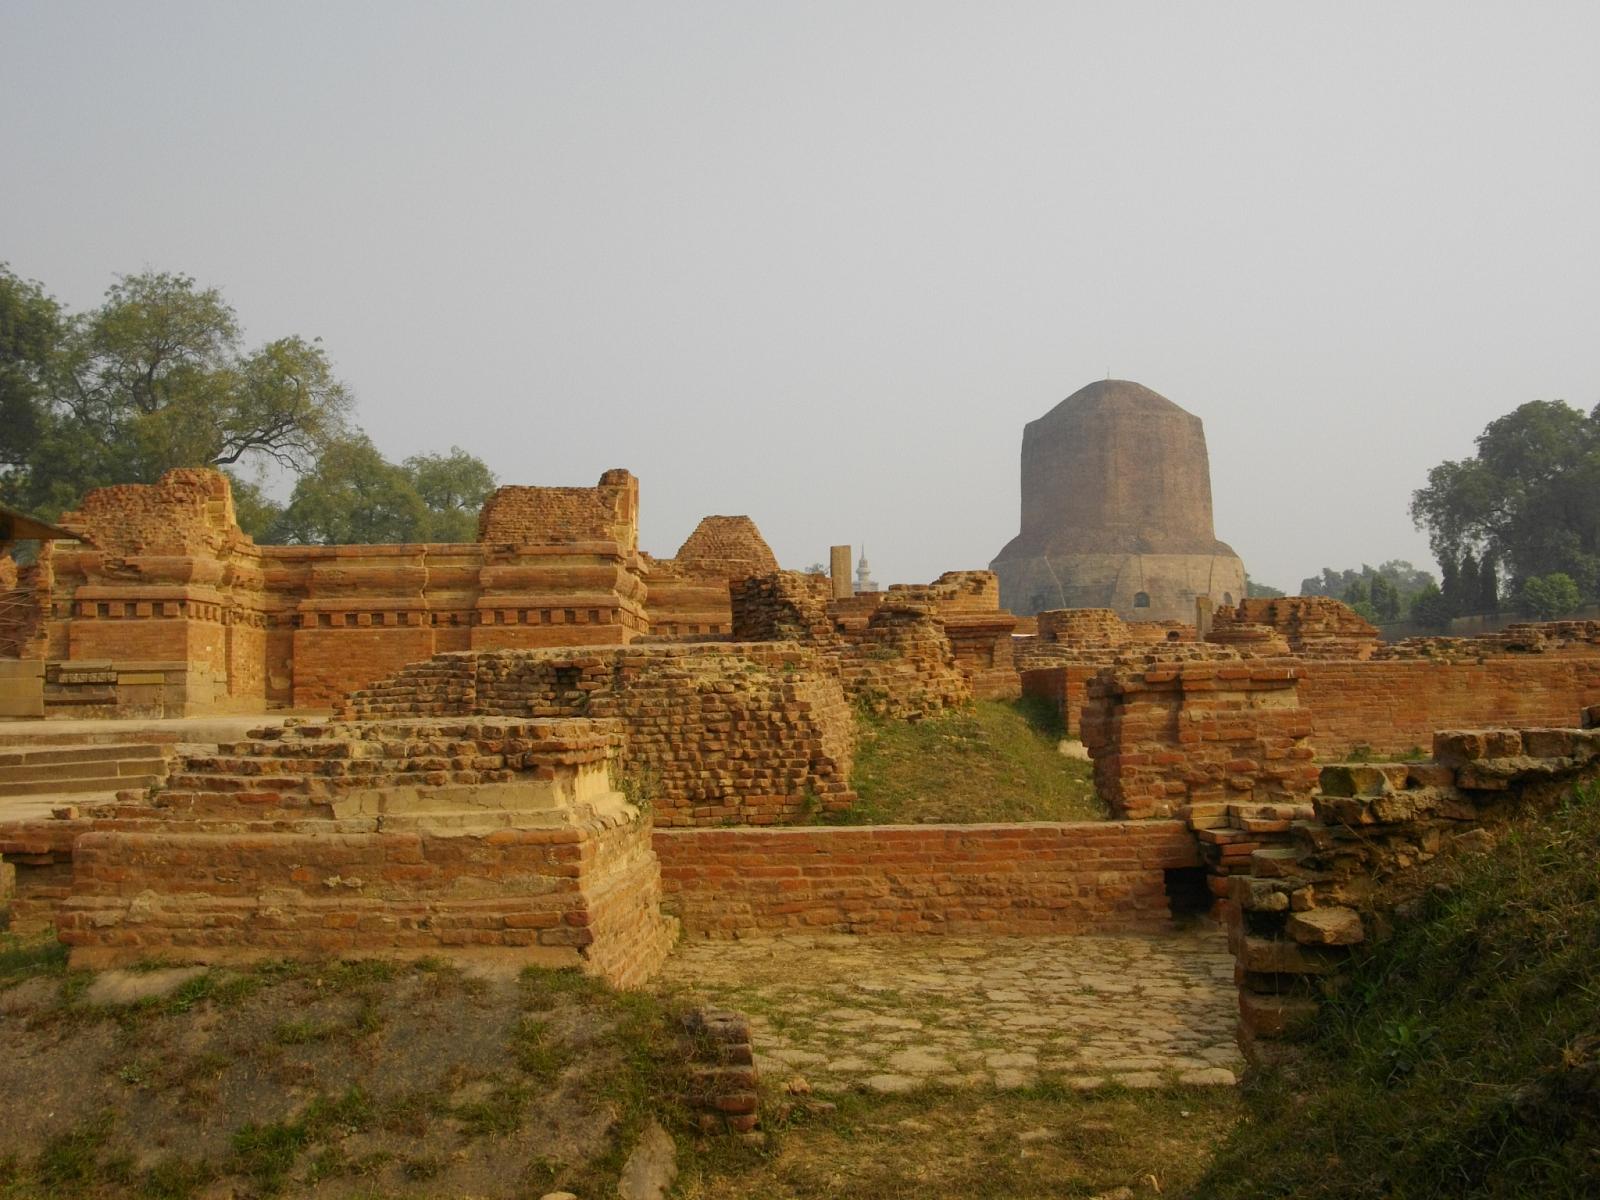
x,y
452,838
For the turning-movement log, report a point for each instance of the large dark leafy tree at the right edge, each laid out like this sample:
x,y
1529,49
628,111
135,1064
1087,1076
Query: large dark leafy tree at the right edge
x,y
1529,500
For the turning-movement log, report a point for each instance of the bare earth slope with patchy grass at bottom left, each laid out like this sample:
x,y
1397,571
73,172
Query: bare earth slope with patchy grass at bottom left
x,y
324,1079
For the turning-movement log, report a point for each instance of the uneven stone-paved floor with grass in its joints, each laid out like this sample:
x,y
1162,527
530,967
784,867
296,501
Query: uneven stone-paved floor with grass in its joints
x,y
894,1014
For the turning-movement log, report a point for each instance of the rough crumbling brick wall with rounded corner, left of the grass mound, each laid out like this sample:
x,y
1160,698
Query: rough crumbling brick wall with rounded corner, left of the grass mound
x,y
748,734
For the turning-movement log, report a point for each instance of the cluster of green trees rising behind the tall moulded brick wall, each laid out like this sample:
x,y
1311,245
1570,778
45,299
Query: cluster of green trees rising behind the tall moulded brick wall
x,y
159,377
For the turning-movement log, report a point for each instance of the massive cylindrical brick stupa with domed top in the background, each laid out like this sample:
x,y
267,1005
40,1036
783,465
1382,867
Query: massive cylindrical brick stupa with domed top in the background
x,y
1118,511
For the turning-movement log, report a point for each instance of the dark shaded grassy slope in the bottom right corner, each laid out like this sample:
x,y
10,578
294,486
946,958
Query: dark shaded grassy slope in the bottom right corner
x,y
1462,1058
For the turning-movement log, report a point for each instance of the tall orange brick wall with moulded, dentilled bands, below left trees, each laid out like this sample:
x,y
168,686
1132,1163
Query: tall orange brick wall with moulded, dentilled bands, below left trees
x,y
169,578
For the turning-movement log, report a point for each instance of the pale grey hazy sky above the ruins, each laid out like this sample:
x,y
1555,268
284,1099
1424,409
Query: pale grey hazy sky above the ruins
x,y
820,263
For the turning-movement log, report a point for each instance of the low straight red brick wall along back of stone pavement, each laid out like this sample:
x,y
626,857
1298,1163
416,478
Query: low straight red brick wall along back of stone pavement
x,y
1082,878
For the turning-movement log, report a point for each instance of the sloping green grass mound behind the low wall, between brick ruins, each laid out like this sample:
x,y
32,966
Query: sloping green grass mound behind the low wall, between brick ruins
x,y
998,761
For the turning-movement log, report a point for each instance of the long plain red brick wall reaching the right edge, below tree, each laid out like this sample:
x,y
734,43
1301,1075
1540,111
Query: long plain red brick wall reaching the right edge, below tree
x,y
1394,706
